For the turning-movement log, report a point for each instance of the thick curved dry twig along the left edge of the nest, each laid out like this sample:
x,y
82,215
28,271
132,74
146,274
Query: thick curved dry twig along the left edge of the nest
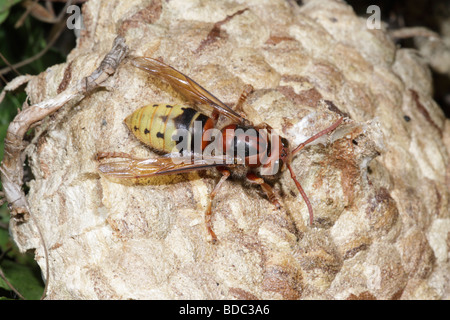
x,y
12,164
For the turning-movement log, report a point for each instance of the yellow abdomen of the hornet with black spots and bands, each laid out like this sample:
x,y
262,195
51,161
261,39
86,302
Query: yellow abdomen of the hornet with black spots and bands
x,y
165,127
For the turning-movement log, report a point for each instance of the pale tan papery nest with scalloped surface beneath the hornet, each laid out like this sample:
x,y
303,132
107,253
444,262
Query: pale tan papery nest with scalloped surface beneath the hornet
x,y
379,184
